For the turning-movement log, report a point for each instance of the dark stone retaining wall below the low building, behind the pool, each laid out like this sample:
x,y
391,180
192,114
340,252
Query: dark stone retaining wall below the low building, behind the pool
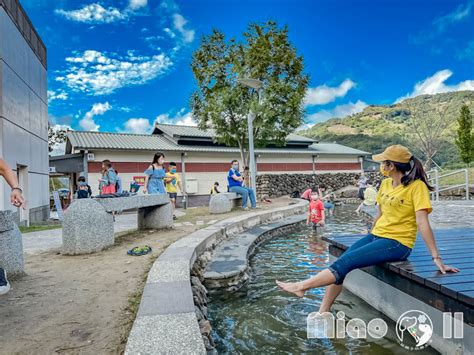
x,y
276,185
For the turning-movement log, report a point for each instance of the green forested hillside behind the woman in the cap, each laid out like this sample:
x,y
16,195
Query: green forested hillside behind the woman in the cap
x,y
378,126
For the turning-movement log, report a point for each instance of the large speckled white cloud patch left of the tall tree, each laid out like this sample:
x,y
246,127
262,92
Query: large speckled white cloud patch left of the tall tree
x,y
103,73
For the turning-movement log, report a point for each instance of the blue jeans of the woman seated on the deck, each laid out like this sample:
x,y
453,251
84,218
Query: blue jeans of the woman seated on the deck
x,y
368,251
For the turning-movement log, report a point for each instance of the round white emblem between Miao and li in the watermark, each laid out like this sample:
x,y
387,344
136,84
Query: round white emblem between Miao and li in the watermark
x,y
414,330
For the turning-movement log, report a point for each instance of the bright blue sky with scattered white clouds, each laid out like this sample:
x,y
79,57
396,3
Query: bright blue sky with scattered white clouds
x,y
121,65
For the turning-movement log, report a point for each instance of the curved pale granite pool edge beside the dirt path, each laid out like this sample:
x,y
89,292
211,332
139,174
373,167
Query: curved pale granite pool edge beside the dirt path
x,y
166,321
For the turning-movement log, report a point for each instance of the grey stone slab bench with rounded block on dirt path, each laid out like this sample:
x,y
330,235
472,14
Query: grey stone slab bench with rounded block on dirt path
x,y
88,224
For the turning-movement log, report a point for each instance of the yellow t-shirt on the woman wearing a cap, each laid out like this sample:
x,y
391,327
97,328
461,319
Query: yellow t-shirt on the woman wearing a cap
x,y
398,205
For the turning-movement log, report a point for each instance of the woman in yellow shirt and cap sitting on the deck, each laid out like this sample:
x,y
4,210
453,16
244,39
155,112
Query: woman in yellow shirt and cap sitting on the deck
x,y
403,208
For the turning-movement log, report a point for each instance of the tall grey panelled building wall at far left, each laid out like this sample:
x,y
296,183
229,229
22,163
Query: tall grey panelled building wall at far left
x,y
23,120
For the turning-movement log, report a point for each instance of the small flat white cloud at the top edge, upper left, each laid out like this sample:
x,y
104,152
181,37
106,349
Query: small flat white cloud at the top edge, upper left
x,y
93,13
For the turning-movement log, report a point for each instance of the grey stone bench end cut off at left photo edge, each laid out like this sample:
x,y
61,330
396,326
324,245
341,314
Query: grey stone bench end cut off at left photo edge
x,y
11,245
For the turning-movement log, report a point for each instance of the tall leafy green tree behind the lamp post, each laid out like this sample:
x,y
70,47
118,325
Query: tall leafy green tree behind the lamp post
x,y
266,54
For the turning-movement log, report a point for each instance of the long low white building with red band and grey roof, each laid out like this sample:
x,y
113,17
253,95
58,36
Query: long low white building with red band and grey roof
x,y
199,159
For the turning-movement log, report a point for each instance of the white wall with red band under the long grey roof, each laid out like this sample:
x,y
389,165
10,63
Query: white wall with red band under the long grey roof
x,y
207,168
